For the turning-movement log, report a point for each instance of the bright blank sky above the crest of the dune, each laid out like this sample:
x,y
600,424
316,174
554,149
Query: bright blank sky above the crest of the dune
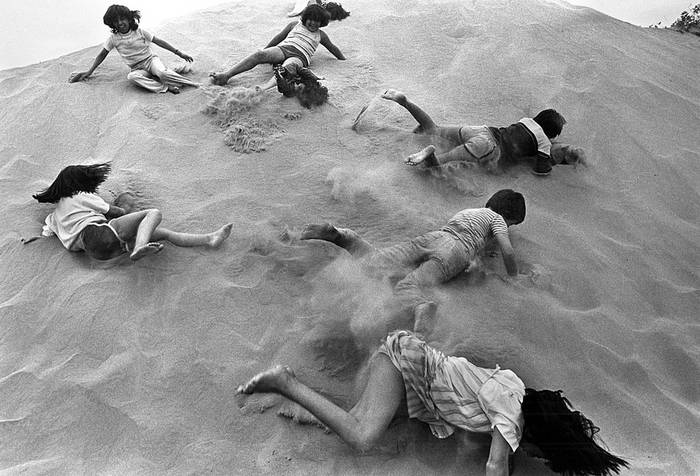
x,y
38,30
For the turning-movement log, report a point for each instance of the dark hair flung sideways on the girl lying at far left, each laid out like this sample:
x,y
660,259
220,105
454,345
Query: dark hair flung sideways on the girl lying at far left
x,y
74,179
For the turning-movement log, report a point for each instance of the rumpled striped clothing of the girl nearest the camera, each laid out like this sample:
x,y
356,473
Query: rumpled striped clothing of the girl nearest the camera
x,y
450,392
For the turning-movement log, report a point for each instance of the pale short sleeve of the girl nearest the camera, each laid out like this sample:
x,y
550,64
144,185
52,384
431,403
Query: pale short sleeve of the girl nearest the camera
x,y
501,399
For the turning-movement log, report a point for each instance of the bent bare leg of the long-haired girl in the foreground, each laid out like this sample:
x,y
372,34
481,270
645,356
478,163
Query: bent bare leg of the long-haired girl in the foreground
x,y
364,424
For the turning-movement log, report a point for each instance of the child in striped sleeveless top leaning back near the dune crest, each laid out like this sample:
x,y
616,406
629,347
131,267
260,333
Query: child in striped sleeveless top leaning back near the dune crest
x,y
296,43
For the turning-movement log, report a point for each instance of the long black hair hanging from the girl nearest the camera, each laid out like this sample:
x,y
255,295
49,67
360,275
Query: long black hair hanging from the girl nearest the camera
x,y
565,436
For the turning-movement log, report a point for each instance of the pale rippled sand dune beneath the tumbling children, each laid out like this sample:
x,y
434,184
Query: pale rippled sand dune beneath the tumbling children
x,y
131,367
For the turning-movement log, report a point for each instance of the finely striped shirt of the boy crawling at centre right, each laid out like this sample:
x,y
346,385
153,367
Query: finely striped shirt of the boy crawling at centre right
x,y
474,226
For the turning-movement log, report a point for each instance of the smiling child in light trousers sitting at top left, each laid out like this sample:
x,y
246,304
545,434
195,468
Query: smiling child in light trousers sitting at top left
x,y
133,44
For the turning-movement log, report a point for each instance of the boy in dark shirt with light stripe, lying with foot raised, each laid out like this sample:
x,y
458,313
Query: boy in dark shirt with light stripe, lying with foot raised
x,y
494,147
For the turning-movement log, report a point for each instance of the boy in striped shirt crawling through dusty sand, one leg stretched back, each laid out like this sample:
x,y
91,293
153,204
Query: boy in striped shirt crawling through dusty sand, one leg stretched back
x,y
437,256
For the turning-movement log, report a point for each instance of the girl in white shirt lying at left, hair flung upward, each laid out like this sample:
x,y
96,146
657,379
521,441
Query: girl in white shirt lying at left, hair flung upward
x,y
83,221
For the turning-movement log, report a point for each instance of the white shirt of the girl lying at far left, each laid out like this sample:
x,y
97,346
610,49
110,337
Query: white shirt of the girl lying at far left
x,y
72,215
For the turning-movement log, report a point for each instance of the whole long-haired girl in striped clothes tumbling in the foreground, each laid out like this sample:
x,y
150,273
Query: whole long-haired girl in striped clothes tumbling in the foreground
x,y
450,393
